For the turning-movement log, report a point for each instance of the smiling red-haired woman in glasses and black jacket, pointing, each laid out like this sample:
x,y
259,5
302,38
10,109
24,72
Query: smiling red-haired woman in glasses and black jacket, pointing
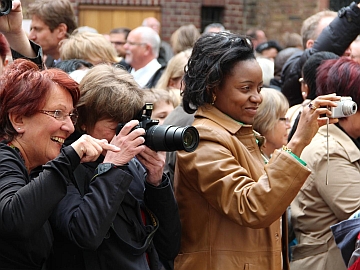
x,y
36,116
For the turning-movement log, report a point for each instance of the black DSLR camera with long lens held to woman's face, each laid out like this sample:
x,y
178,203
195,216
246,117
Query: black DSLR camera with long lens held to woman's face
x,y
165,137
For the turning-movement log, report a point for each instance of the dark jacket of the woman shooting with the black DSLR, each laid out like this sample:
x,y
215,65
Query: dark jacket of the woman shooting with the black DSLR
x,y
103,228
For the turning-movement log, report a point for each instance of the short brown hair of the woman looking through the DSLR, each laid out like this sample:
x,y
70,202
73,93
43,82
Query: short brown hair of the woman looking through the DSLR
x,y
108,92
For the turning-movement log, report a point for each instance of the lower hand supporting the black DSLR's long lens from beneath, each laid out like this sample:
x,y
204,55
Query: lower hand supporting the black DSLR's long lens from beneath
x,y
154,163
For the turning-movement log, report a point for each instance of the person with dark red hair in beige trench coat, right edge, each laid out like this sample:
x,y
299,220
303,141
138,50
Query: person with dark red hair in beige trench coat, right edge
x,y
331,192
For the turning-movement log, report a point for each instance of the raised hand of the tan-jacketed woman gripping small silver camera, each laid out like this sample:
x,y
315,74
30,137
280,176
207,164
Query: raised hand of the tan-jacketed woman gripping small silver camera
x,y
312,117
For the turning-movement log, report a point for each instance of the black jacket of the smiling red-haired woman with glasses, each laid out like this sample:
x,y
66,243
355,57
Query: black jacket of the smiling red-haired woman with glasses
x,y
26,203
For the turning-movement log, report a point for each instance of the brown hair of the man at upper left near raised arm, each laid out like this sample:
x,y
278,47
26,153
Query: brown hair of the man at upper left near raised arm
x,y
53,13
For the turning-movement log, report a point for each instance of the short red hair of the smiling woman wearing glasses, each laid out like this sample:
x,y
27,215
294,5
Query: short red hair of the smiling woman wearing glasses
x,y
24,90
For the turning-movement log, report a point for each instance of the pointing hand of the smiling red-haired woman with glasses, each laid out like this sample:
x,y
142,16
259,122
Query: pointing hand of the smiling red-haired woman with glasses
x,y
89,148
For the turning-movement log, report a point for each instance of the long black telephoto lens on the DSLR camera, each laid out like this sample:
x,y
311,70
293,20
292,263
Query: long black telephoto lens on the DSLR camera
x,y
172,138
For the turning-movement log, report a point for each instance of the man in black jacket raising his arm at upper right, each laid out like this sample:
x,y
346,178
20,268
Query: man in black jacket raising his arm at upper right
x,y
323,31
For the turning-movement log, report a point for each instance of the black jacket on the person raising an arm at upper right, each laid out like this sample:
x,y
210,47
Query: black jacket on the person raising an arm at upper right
x,y
335,38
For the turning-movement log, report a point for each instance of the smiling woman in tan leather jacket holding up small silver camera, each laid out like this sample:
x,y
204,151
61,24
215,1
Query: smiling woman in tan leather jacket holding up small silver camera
x,y
230,203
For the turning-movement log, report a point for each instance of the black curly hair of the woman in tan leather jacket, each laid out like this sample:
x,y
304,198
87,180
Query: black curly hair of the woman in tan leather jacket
x,y
213,58
